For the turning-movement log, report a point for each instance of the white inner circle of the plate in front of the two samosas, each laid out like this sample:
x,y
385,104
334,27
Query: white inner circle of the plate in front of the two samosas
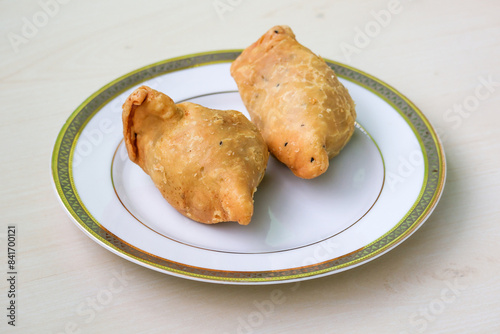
x,y
289,212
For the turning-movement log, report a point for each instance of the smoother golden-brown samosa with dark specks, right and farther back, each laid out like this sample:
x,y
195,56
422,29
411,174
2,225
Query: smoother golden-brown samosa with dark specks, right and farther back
x,y
302,110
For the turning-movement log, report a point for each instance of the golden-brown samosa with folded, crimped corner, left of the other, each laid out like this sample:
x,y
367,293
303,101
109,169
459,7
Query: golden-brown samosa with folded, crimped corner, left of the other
x,y
207,163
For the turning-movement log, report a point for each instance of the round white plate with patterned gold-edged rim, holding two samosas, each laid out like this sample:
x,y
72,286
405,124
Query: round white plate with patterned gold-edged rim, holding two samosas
x,y
376,193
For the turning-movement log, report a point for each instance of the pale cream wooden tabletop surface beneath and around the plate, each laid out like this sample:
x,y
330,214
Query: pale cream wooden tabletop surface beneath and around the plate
x,y
442,280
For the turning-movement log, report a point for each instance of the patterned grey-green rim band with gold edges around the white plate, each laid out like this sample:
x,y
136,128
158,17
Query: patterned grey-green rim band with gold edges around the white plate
x,y
62,159
